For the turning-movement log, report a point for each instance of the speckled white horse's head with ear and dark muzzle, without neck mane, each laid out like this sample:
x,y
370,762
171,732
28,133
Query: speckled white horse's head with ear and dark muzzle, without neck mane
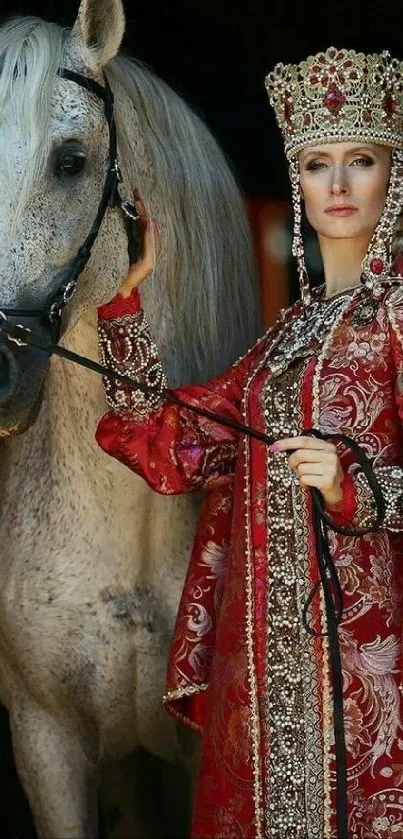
x,y
55,150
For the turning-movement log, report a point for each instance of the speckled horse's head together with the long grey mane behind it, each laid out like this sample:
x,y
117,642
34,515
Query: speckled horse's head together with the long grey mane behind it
x,y
55,151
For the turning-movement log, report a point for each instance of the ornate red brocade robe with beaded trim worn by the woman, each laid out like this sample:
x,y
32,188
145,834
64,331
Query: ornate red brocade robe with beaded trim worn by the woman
x,y
243,670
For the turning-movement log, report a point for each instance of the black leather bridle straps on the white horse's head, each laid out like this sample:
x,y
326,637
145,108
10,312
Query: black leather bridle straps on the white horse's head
x,y
51,314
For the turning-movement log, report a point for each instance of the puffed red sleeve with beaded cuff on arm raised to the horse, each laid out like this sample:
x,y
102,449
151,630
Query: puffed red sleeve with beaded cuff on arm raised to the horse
x,y
173,449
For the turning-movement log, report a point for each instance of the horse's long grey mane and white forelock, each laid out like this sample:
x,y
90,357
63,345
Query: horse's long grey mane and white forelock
x,y
207,279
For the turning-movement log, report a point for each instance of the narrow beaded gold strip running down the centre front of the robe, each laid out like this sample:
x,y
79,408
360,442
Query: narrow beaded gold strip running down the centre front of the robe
x,y
284,709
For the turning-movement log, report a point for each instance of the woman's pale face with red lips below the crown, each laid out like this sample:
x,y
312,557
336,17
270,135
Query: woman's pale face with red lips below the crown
x,y
344,187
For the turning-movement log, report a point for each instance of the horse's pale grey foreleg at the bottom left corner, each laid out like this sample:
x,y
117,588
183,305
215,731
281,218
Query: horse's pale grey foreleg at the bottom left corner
x,y
58,780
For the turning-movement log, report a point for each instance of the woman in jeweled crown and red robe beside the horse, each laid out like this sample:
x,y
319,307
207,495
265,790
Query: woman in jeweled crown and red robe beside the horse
x,y
253,628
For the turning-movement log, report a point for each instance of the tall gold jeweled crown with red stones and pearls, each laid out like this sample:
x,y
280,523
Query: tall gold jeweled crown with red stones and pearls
x,y
338,96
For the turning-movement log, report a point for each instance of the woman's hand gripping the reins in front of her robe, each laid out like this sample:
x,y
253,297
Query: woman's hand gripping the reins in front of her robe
x,y
316,463
